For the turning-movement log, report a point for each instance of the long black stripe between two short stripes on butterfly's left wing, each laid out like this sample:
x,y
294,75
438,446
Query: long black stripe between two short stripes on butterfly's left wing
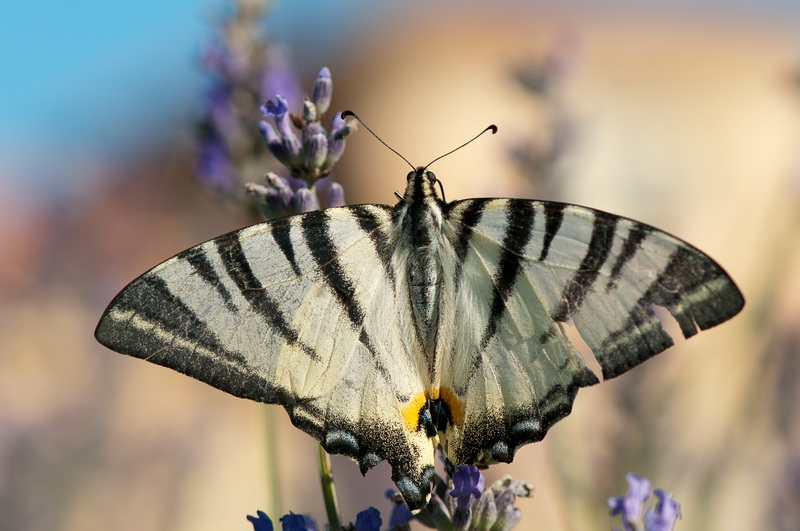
x,y
239,270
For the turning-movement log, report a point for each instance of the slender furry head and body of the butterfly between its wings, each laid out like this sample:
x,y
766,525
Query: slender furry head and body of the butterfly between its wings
x,y
418,229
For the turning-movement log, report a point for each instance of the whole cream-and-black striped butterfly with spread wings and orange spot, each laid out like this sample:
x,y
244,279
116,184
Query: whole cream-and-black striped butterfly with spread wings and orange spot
x,y
388,331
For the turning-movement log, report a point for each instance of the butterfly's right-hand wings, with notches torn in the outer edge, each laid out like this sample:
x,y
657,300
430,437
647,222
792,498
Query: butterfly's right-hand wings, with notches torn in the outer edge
x,y
525,269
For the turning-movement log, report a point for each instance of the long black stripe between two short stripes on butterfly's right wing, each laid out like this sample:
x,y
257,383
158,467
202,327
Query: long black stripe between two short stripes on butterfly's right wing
x,y
603,232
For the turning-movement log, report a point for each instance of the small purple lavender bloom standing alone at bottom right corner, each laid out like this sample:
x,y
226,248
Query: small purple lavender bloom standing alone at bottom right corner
x,y
630,507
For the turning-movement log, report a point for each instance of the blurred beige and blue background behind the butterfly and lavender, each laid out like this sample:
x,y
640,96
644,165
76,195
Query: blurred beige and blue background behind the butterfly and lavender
x,y
684,115
